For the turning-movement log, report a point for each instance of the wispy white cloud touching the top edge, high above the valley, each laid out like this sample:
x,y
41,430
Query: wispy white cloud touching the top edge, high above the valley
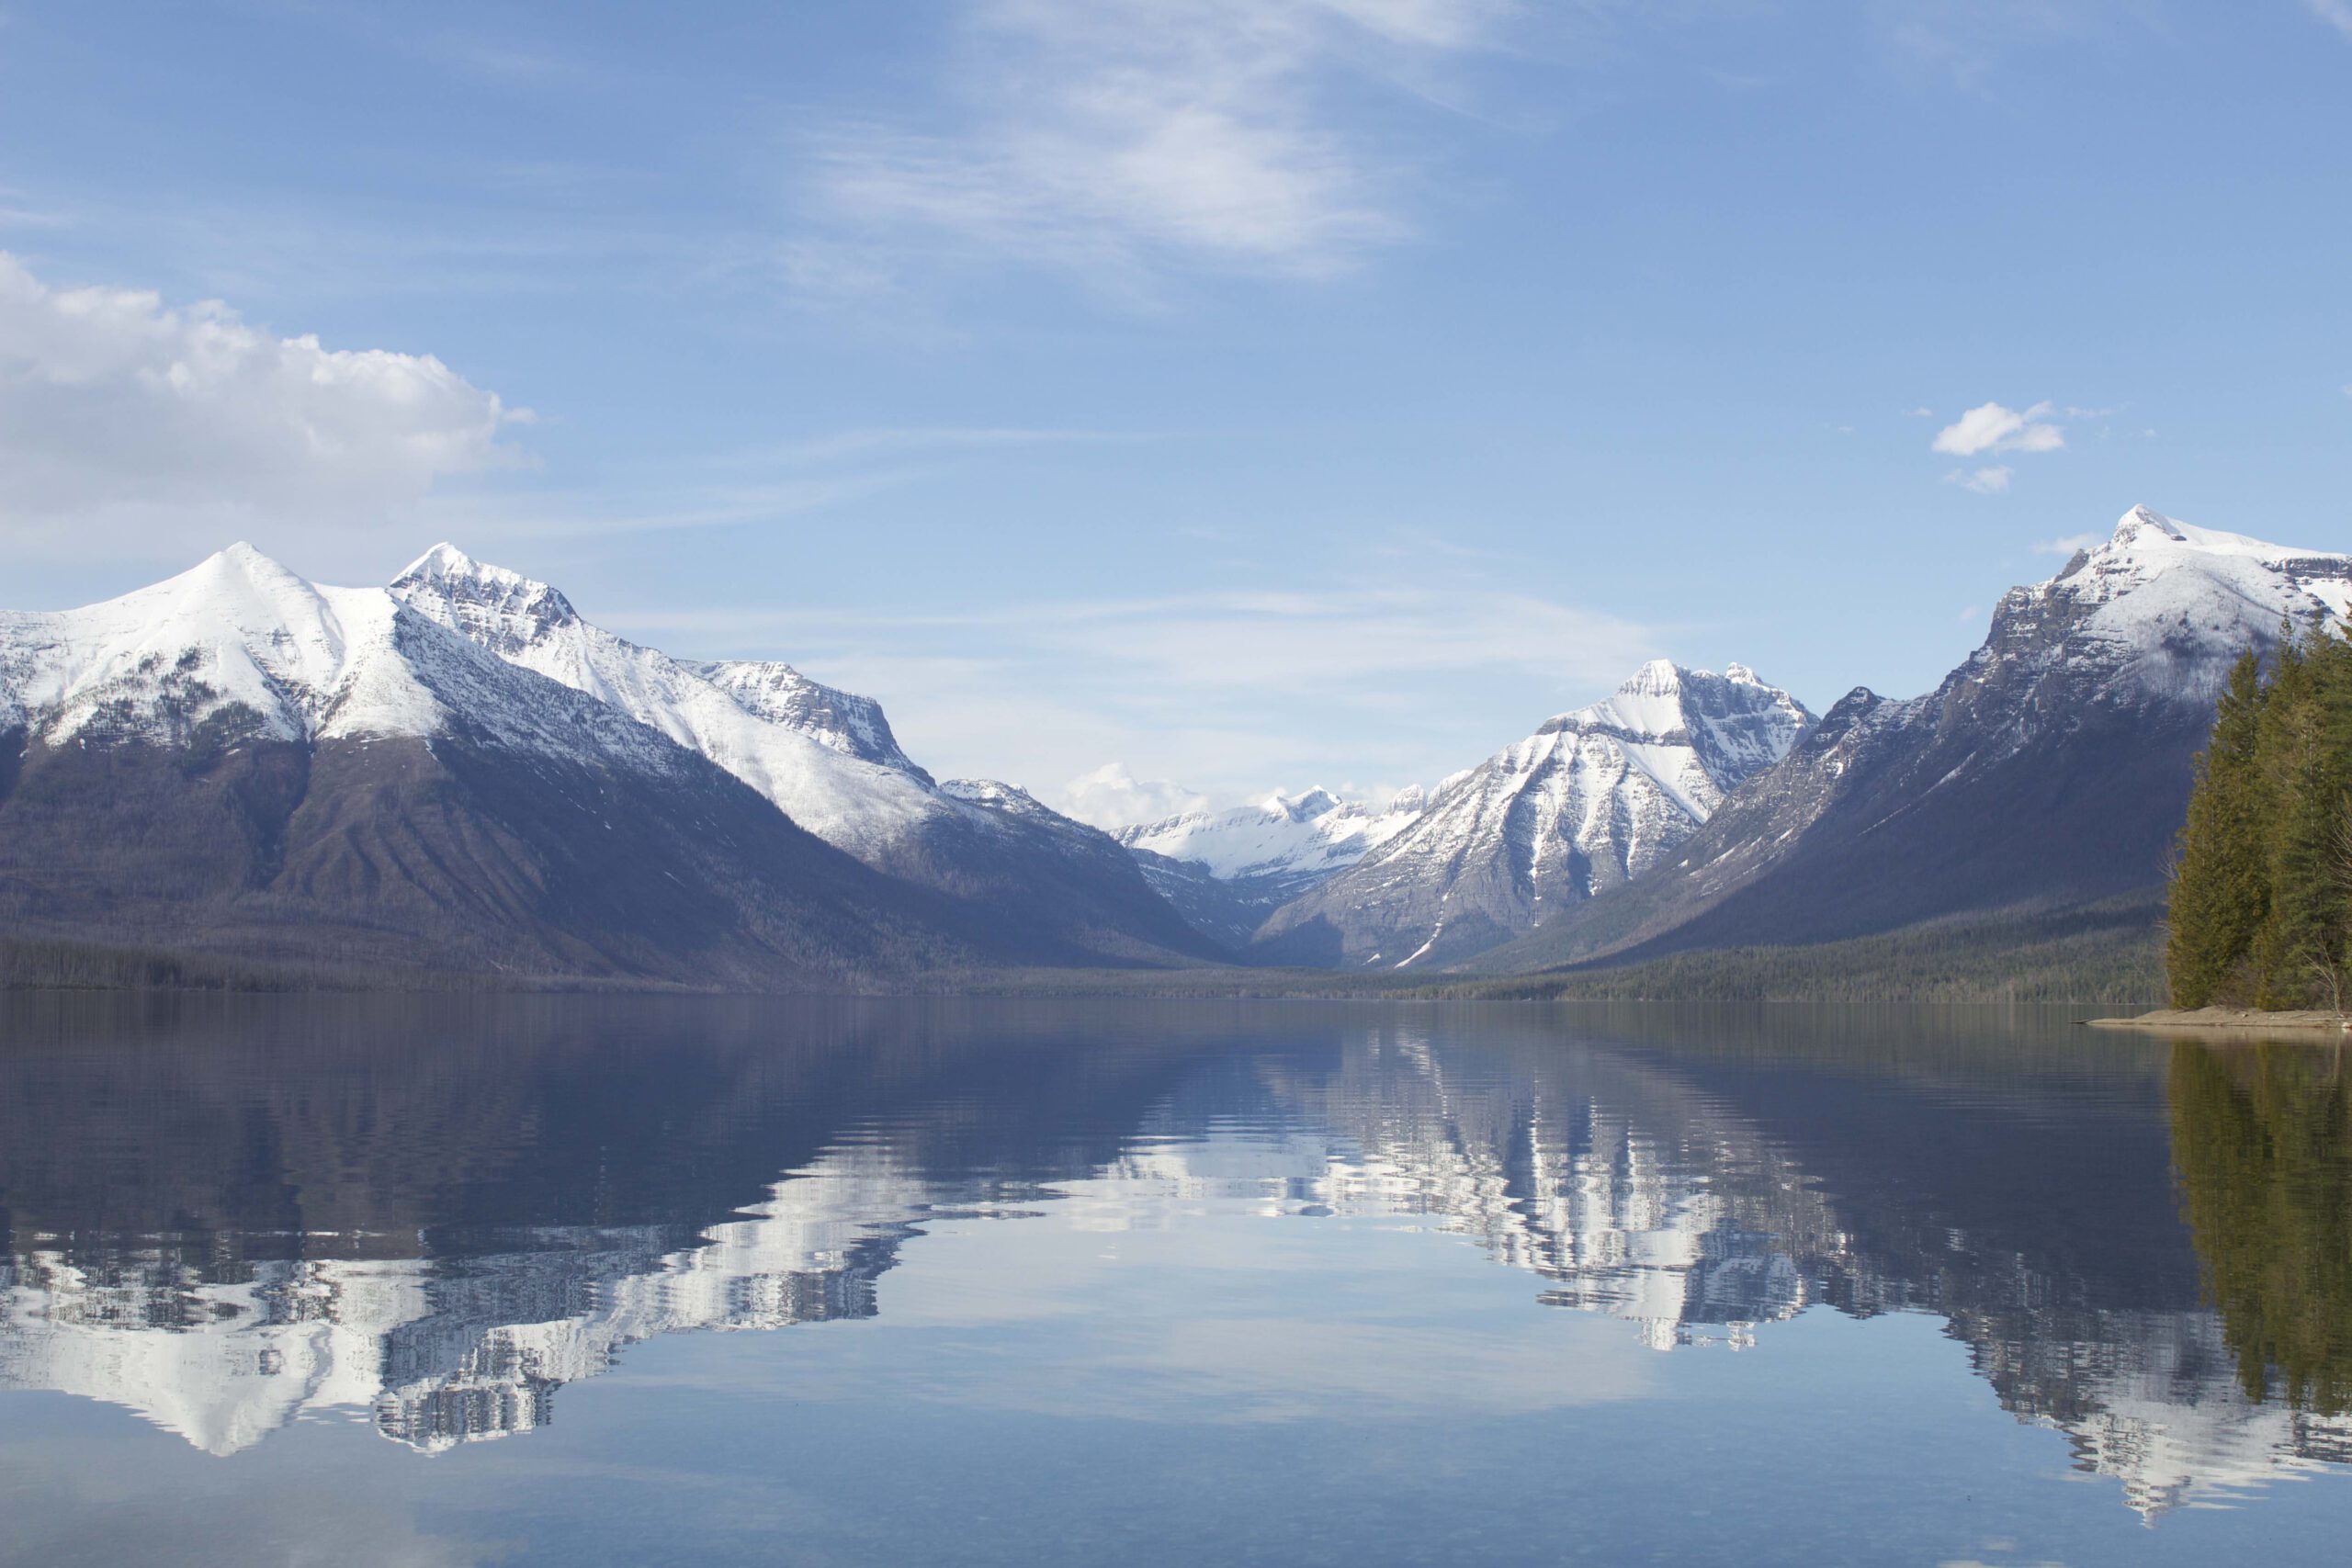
x,y
1118,135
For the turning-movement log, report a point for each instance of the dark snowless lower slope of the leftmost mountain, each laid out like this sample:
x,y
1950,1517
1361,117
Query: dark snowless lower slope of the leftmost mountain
x,y
352,855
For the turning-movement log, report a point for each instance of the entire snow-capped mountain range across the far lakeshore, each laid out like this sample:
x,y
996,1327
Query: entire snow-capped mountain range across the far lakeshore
x,y
460,779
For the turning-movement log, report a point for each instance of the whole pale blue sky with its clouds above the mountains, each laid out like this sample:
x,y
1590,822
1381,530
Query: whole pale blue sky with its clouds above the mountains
x,y
1172,401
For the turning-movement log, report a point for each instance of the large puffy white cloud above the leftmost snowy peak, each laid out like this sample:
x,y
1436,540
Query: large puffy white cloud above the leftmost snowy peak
x,y
133,427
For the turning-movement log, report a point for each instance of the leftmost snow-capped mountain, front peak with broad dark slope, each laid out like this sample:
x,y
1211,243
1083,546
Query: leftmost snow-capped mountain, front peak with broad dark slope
x,y
246,763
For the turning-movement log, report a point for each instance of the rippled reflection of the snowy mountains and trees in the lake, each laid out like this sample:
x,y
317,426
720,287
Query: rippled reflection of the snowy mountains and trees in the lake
x,y
236,1214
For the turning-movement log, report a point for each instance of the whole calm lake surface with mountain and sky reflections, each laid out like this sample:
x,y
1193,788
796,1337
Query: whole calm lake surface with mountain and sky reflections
x,y
1114,1282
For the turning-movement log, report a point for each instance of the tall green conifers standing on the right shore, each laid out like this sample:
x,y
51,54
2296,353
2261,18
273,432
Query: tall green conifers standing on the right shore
x,y
2261,899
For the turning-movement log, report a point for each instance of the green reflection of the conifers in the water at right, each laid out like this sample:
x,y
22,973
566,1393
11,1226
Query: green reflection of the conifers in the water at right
x,y
2264,1146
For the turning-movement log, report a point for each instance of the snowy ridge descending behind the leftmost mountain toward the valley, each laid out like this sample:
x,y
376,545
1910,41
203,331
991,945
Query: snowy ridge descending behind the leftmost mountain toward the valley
x,y
1036,887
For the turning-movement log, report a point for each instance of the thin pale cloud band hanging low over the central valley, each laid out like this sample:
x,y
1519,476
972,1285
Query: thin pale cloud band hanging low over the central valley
x,y
1210,688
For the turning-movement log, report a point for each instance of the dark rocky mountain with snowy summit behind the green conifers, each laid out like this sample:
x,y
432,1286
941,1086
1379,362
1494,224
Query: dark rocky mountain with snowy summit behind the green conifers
x,y
2050,770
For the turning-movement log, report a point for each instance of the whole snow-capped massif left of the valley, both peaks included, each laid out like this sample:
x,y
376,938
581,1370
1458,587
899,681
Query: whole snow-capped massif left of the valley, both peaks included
x,y
465,775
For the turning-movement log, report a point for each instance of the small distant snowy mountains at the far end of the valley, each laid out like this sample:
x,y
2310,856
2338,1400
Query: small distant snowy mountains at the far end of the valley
x,y
1227,871
